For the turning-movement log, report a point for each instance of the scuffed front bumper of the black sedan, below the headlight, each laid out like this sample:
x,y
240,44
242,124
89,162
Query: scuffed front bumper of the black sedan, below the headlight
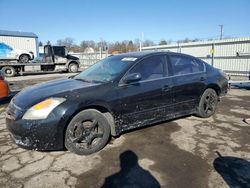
x,y
38,135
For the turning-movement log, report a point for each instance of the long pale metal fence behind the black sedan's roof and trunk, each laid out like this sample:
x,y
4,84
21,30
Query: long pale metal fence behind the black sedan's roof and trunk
x,y
230,55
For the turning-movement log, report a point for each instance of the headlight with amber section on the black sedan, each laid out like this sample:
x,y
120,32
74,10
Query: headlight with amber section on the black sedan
x,y
42,109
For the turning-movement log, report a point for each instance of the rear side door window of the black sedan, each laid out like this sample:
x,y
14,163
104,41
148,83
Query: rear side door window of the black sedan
x,y
185,65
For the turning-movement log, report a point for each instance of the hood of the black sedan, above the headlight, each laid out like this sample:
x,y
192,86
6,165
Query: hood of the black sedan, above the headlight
x,y
57,88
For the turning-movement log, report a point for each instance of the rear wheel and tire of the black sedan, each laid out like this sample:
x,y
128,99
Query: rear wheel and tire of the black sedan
x,y
208,103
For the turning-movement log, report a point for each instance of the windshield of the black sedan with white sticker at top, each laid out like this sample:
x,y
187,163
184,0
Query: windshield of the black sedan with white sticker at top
x,y
105,70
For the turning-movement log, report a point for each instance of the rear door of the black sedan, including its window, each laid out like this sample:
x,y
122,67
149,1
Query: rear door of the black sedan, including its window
x,y
188,82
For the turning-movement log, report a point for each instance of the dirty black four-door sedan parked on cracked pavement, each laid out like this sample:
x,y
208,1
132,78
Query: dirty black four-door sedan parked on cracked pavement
x,y
118,93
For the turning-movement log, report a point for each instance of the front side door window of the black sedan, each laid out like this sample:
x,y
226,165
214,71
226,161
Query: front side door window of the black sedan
x,y
150,68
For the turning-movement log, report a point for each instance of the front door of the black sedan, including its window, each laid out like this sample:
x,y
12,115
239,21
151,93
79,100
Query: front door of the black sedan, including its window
x,y
150,99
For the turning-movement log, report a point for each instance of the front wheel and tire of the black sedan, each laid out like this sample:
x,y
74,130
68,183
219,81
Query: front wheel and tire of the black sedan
x,y
87,133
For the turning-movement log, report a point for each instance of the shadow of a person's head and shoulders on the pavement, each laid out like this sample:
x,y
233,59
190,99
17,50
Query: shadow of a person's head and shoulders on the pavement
x,y
131,174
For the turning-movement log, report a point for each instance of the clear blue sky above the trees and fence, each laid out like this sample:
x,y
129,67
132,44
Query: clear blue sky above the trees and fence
x,y
113,20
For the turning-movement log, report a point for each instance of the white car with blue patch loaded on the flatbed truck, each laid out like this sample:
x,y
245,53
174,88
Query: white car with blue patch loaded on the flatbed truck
x,y
9,53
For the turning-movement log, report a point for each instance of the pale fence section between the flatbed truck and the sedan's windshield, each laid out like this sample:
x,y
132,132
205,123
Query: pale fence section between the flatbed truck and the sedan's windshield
x,y
88,59
